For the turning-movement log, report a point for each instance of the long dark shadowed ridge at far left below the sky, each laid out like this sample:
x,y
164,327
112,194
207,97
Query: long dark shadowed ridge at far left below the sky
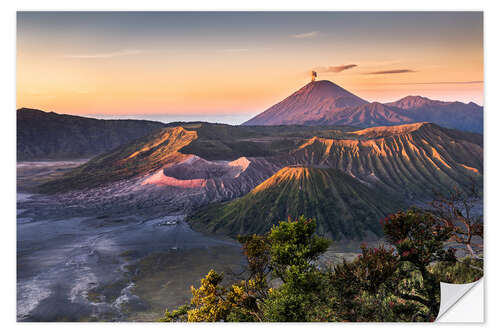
x,y
48,135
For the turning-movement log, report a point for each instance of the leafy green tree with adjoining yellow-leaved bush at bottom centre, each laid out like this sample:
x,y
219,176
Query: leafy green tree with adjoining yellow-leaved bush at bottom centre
x,y
288,252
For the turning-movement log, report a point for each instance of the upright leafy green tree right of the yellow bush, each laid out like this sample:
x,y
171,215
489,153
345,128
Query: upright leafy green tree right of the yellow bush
x,y
294,250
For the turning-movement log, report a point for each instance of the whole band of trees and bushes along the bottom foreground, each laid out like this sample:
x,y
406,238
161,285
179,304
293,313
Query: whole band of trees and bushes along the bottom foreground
x,y
399,282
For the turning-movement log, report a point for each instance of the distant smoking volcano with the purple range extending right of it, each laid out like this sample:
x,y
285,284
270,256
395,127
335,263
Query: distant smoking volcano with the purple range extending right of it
x,y
325,103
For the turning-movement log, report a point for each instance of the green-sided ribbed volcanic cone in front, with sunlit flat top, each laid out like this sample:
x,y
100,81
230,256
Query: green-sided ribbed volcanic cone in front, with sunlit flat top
x,y
342,205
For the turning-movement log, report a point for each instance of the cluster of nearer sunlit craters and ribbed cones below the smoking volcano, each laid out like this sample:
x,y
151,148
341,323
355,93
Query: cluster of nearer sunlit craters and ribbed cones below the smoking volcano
x,y
346,179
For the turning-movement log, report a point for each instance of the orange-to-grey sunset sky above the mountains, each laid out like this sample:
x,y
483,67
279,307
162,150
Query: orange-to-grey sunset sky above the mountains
x,y
229,66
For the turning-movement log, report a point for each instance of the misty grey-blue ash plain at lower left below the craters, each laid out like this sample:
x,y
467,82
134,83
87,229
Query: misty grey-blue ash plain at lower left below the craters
x,y
94,262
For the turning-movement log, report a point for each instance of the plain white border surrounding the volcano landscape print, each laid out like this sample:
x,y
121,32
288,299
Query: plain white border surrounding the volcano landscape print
x,y
8,130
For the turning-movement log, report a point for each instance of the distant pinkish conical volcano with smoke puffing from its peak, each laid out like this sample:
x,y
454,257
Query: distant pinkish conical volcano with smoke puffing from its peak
x,y
308,105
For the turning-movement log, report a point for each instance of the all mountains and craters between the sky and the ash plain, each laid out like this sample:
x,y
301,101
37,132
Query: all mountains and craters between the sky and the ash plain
x,y
320,152
